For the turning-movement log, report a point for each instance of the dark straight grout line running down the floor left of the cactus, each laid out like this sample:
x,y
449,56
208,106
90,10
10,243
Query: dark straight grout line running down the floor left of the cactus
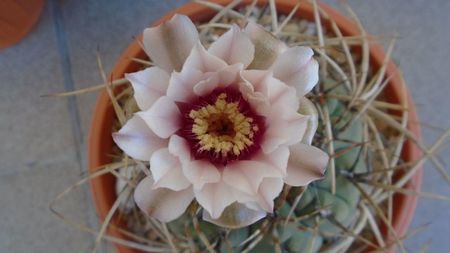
x,y
72,103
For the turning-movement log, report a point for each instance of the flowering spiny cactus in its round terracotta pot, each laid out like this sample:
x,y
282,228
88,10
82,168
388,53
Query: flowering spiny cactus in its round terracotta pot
x,y
254,126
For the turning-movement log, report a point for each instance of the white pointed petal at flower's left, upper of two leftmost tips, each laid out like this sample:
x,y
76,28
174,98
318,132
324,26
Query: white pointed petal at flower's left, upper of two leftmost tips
x,y
148,85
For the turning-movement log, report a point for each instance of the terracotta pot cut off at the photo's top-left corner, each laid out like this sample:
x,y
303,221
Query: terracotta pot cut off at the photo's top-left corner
x,y
17,18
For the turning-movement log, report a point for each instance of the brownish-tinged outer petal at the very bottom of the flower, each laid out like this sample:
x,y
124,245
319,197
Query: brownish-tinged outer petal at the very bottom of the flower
x,y
236,216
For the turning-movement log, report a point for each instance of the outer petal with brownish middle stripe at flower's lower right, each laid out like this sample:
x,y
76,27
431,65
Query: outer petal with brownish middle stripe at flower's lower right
x,y
306,164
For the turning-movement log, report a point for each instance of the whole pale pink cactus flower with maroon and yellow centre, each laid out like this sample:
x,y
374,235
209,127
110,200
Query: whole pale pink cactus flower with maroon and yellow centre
x,y
221,125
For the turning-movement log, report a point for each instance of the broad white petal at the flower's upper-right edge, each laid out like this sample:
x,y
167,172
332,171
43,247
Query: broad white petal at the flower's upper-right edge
x,y
297,68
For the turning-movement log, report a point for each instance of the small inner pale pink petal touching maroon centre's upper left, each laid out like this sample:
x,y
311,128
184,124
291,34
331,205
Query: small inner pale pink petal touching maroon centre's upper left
x,y
181,84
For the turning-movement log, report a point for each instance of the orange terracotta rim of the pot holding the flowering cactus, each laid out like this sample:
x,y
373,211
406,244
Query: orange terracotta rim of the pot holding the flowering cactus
x,y
101,143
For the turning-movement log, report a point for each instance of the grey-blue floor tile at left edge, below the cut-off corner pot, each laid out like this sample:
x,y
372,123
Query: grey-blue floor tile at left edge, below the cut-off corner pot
x,y
32,128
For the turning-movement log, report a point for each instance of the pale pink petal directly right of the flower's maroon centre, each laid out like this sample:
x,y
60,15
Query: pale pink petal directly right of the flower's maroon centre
x,y
285,131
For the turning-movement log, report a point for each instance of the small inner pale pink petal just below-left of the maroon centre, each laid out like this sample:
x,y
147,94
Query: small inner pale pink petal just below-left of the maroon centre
x,y
200,172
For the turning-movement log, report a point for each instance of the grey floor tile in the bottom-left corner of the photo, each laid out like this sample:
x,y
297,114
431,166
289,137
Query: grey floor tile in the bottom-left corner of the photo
x,y
27,225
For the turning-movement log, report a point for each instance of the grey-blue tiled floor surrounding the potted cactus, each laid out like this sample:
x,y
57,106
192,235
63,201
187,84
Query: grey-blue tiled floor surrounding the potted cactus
x,y
43,139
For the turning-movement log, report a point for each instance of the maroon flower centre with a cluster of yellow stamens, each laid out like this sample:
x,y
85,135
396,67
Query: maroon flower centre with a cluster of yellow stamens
x,y
222,127
